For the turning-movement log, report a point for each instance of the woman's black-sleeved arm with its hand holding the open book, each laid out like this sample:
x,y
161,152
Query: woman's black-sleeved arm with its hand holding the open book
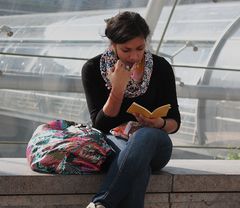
x,y
164,81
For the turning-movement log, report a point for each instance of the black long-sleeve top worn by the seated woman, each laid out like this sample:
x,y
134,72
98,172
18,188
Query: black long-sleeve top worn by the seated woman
x,y
161,91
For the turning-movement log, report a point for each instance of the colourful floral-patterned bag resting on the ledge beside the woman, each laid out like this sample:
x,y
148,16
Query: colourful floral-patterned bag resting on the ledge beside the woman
x,y
64,147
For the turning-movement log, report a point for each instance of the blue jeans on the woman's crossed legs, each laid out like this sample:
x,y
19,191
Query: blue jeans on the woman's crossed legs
x,y
147,150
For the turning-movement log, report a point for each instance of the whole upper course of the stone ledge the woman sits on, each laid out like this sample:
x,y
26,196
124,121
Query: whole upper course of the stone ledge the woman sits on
x,y
178,176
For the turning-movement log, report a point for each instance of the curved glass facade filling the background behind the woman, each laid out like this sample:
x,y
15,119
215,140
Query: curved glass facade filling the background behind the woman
x,y
41,61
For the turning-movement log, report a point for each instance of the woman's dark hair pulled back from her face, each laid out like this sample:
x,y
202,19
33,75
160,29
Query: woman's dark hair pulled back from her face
x,y
126,26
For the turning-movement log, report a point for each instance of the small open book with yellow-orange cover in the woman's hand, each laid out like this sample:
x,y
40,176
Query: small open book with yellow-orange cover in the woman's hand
x,y
158,112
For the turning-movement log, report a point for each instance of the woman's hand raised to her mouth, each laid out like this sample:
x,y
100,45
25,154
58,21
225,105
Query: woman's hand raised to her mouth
x,y
119,77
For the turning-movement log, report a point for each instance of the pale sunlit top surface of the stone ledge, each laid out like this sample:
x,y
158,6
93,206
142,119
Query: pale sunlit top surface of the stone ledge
x,y
19,166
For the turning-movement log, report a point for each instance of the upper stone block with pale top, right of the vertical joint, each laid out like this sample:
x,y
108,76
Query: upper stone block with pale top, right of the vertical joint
x,y
205,175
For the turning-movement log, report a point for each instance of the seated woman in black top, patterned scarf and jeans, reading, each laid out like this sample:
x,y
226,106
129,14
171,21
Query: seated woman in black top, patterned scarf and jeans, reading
x,y
125,73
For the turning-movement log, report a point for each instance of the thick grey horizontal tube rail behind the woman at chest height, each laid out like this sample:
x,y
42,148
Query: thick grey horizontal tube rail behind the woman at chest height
x,y
58,83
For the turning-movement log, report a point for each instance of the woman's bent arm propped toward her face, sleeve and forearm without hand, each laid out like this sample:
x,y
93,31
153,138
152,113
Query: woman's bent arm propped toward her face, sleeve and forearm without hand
x,y
97,96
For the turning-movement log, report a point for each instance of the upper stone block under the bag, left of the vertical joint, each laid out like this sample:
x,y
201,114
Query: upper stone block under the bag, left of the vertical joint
x,y
16,177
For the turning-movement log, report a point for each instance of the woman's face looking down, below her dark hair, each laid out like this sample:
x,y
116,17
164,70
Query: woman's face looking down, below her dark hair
x,y
132,51
